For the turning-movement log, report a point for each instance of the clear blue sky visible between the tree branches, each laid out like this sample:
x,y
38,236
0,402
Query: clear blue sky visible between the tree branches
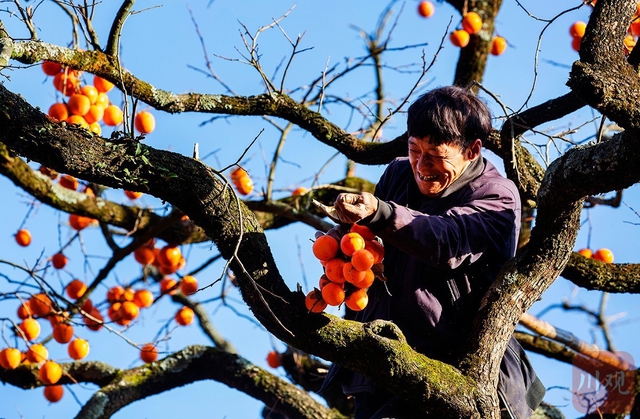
x,y
160,45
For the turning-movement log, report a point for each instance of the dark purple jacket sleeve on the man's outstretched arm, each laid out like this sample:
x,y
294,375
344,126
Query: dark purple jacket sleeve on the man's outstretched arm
x,y
486,225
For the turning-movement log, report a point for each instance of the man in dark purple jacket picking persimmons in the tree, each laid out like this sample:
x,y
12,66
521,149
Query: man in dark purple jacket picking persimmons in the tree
x,y
449,221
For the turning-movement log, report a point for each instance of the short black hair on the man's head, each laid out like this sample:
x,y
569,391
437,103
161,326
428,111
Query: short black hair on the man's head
x,y
449,114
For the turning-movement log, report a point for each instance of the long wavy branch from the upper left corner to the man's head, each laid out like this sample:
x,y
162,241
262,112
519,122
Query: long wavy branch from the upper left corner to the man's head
x,y
273,104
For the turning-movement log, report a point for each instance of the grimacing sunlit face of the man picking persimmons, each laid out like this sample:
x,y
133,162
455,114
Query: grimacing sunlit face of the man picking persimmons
x,y
435,168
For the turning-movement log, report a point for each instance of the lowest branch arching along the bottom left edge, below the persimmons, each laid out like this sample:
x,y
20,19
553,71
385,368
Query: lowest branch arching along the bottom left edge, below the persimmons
x,y
195,363
